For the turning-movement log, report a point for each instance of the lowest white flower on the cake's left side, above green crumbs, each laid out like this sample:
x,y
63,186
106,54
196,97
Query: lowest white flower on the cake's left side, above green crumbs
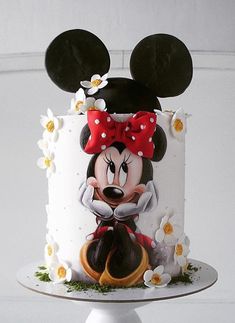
x,y
59,272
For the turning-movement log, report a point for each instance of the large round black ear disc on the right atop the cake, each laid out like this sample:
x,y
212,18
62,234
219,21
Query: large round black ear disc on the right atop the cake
x,y
162,63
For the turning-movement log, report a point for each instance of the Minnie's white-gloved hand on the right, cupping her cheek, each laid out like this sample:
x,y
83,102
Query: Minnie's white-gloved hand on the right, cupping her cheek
x,y
147,201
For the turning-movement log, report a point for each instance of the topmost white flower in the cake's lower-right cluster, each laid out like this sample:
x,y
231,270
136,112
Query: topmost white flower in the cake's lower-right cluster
x,y
169,230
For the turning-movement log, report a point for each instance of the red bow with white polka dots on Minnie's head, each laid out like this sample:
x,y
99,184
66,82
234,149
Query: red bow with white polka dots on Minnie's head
x,y
135,133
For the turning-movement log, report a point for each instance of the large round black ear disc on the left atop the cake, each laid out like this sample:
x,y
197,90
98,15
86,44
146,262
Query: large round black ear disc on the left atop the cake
x,y
75,56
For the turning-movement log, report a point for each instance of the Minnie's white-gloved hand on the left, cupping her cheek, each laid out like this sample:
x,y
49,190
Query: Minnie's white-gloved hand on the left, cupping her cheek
x,y
100,208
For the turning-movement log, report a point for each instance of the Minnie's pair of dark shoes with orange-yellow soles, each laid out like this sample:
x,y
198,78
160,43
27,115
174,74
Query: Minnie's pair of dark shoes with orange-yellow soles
x,y
114,259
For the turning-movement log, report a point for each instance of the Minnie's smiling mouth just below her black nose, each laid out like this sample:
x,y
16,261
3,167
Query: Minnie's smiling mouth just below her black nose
x,y
114,202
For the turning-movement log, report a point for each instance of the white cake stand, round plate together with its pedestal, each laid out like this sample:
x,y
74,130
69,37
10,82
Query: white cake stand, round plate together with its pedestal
x,y
119,305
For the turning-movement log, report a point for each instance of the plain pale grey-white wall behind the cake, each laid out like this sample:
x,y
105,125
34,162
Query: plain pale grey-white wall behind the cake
x,y
207,27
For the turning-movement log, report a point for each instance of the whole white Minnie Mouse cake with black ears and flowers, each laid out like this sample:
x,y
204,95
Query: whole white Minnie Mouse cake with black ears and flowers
x,y
115,164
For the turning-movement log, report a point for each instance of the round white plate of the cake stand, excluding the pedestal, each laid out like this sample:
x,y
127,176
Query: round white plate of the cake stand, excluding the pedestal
x,y
205,277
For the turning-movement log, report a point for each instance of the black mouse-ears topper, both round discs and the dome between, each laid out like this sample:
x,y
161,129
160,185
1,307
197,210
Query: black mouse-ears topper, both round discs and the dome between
x,y
160,66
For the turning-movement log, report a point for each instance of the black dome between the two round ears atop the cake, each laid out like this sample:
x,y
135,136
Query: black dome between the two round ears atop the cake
x,y
123,95
